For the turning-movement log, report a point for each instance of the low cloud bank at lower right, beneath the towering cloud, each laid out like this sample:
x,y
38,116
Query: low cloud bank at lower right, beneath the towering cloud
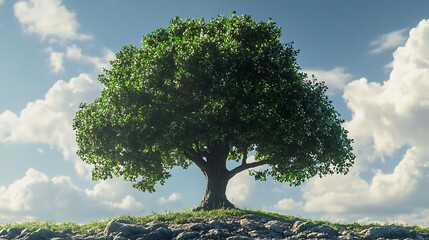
x,y
394,195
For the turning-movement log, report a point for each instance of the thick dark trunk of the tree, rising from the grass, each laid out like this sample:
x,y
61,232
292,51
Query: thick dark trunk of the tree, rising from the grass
x,y
217,177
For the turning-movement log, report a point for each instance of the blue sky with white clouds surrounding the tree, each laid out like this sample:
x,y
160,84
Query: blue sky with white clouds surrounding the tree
x,y
373,56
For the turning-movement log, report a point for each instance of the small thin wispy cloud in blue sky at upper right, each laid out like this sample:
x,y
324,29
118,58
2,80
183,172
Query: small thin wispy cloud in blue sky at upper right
x,y
389,40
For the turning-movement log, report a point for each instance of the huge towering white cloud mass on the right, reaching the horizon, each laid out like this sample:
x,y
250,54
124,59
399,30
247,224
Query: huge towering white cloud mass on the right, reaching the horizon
x,y
390,123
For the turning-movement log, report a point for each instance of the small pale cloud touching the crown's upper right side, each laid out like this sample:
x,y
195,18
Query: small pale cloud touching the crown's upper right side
x,y
335,79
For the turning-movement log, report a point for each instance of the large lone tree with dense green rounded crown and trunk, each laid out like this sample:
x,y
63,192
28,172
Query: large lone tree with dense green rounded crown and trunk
x,y
206,93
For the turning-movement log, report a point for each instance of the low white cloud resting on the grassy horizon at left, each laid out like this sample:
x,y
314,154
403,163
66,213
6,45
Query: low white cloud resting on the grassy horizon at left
x,y
37,196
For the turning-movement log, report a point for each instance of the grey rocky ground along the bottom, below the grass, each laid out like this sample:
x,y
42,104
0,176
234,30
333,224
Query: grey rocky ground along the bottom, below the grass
x,y
233,228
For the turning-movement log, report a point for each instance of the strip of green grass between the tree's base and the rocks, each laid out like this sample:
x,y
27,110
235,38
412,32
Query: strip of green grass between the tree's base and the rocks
x,y
187,216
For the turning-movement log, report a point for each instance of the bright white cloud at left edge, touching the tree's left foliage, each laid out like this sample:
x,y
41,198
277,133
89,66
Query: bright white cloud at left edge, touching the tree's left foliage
x,y
49,120
